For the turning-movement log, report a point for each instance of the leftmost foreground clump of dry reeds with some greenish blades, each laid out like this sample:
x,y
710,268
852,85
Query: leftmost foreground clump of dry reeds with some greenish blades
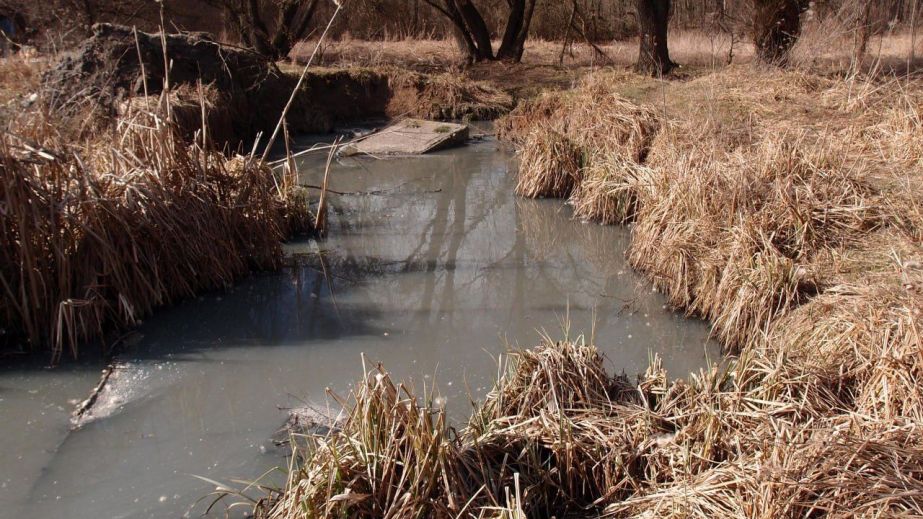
x,y
391,456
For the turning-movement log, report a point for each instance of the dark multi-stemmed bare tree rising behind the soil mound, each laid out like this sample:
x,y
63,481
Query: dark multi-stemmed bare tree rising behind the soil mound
x,y
271,27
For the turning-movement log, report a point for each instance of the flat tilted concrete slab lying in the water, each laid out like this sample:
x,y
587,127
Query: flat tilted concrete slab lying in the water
x,y
410,137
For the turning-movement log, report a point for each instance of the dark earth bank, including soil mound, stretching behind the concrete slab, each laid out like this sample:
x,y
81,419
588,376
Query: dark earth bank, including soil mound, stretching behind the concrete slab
x,y
239,93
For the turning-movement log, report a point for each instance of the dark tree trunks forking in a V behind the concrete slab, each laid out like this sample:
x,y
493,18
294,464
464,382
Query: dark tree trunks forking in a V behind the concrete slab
x,y
475,35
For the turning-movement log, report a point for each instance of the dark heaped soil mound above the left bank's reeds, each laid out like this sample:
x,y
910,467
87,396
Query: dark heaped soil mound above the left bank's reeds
x,y
117,63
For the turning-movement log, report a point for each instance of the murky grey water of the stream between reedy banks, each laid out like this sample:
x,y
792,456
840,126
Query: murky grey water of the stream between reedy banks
x,y
431,276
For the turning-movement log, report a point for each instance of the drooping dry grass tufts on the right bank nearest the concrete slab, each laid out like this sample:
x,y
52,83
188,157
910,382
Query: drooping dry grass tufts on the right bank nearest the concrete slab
x,y
565,137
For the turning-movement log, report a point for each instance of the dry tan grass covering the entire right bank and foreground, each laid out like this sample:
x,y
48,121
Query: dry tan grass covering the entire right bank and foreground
x,y
782,206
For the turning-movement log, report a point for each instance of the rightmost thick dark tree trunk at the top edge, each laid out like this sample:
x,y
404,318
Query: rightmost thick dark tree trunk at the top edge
x,y
776,25
